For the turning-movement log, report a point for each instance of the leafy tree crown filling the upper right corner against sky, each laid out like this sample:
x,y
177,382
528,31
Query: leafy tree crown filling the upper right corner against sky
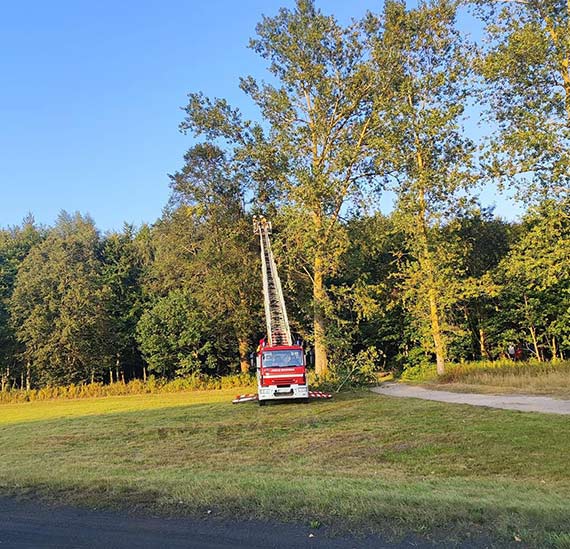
x,y
526,67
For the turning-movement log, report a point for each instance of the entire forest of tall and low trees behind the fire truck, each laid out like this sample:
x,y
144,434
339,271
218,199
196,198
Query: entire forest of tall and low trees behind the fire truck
x,y
371,145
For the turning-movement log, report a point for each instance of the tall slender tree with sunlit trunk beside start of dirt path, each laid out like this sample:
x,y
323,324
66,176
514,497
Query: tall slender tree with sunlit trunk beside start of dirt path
x,y
424,149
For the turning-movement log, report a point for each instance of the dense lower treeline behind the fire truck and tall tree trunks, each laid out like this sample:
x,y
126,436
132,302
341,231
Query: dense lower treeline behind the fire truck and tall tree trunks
x,y
184,296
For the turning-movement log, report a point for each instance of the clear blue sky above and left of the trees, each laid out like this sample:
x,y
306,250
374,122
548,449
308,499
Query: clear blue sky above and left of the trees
x,y
90,97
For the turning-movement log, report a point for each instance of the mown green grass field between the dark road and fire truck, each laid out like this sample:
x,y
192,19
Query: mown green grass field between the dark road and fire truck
x,y
360,461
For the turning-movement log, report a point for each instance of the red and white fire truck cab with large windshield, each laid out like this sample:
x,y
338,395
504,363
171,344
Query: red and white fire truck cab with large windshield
x,y
281,373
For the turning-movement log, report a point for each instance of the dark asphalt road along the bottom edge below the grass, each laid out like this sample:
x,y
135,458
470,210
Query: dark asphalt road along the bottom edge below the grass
x,y
29,525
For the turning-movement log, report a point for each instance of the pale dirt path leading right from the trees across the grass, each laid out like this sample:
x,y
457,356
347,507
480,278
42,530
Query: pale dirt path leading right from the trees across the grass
x,y
524,403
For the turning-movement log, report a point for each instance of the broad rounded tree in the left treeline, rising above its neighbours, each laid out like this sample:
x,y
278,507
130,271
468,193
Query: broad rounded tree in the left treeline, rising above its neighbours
x,y
59,305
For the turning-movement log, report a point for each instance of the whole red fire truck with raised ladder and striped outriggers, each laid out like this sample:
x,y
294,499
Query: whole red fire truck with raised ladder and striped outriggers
x,y
280,364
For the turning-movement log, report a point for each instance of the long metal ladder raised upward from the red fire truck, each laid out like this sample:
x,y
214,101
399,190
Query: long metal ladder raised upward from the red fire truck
x,y
276,319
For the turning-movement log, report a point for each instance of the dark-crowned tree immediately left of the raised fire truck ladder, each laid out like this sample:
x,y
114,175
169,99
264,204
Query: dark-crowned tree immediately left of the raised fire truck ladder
x,y
205,244
